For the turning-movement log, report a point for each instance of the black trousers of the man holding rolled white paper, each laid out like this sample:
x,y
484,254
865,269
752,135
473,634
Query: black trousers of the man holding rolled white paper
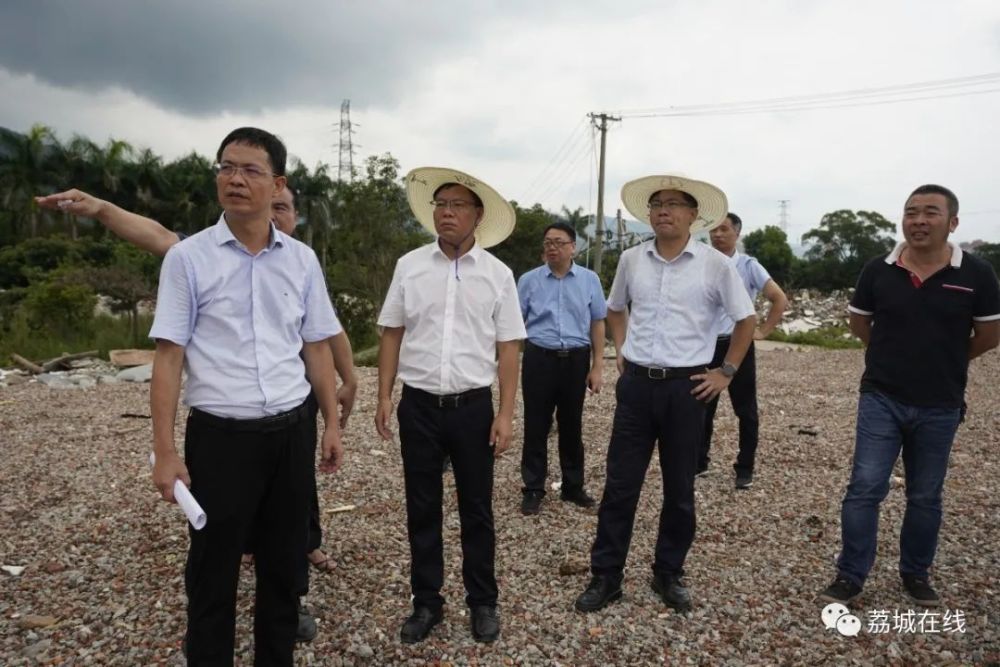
x,y
250,482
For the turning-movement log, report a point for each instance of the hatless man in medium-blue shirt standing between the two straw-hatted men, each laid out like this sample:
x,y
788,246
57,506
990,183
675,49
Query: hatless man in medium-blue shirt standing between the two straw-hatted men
x,y
564,309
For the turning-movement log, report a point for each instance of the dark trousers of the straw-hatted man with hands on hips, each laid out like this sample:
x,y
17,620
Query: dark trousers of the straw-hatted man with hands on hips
x,y
650,412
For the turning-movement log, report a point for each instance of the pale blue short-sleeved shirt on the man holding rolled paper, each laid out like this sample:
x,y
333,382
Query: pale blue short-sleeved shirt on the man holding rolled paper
x,y
242,320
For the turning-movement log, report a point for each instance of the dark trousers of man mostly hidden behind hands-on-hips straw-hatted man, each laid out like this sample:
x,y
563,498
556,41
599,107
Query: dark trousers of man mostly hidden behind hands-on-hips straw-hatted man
x,y
743,397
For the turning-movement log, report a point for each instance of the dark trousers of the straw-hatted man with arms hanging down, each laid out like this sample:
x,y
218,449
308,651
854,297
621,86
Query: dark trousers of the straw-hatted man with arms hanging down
x,y
427,434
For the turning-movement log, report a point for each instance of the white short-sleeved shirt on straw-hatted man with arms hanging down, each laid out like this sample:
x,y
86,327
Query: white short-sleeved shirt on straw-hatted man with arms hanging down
x,y
454,313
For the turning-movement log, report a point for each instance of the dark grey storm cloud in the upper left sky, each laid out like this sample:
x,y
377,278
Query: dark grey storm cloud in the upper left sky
x,y
206,56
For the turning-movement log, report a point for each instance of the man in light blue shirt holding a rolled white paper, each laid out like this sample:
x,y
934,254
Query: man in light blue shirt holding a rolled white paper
x,y
244,310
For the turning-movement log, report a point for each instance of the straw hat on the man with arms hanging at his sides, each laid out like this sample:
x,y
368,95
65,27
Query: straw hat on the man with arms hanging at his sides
x,y
498,215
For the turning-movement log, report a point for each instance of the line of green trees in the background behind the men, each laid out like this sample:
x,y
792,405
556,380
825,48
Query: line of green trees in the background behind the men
x,y
53,265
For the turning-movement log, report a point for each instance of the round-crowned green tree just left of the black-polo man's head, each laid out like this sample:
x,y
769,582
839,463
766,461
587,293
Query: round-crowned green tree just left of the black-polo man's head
x,y
841,245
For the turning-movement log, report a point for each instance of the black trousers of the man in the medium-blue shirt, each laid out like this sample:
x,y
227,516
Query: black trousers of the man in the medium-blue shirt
x,y
553,383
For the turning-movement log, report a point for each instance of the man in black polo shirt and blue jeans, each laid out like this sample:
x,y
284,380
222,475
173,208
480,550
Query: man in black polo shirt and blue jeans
x,y
915,310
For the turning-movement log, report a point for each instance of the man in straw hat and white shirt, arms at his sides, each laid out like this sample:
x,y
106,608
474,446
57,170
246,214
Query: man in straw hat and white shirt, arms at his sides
x,y
451,325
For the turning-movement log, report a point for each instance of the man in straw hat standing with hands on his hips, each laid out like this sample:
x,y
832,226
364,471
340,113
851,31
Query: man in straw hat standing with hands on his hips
x,y
666,296
